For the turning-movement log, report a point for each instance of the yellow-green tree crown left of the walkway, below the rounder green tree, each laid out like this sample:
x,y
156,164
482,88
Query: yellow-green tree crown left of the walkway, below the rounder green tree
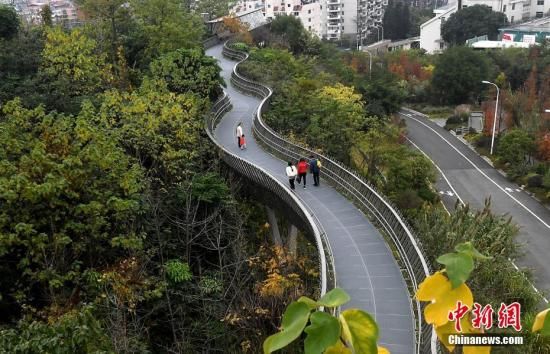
x,y
159,128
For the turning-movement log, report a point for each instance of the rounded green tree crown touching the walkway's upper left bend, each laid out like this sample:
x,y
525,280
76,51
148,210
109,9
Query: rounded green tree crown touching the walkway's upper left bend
x,y
189,70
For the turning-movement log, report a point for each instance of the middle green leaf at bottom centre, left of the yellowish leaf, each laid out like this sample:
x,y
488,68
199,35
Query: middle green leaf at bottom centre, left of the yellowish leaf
x,y
322,333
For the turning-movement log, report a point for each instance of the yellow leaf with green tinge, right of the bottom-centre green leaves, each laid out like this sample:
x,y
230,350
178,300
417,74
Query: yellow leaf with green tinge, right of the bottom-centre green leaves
x,y
360,331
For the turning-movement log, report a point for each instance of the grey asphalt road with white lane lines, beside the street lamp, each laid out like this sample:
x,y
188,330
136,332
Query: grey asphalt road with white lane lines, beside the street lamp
x,y
465,175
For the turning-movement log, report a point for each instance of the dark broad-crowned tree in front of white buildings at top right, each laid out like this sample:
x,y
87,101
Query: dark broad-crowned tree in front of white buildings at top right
x,y
472,21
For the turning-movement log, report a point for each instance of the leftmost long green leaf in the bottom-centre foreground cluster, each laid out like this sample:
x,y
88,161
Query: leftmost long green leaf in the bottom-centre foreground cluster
x,y
294,320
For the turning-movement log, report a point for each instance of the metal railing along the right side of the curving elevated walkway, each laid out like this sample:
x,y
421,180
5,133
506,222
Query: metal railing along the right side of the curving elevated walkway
x,y
355,187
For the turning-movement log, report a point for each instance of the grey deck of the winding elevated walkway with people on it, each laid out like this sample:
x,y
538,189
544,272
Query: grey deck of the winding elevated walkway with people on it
x,y
364,264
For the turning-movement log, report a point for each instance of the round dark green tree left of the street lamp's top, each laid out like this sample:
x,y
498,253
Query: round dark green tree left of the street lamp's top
x,y
458,74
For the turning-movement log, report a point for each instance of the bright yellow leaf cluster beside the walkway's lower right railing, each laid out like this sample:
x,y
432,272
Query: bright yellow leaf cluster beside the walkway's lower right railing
x,y
437,289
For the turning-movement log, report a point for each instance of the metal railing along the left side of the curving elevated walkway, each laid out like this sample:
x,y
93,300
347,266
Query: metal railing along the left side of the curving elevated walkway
x,y
263,178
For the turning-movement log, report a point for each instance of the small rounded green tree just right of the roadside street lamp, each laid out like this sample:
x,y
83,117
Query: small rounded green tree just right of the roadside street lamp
x,y
515,148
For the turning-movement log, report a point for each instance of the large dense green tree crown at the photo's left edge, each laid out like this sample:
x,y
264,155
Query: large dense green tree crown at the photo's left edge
x,y
68,191
